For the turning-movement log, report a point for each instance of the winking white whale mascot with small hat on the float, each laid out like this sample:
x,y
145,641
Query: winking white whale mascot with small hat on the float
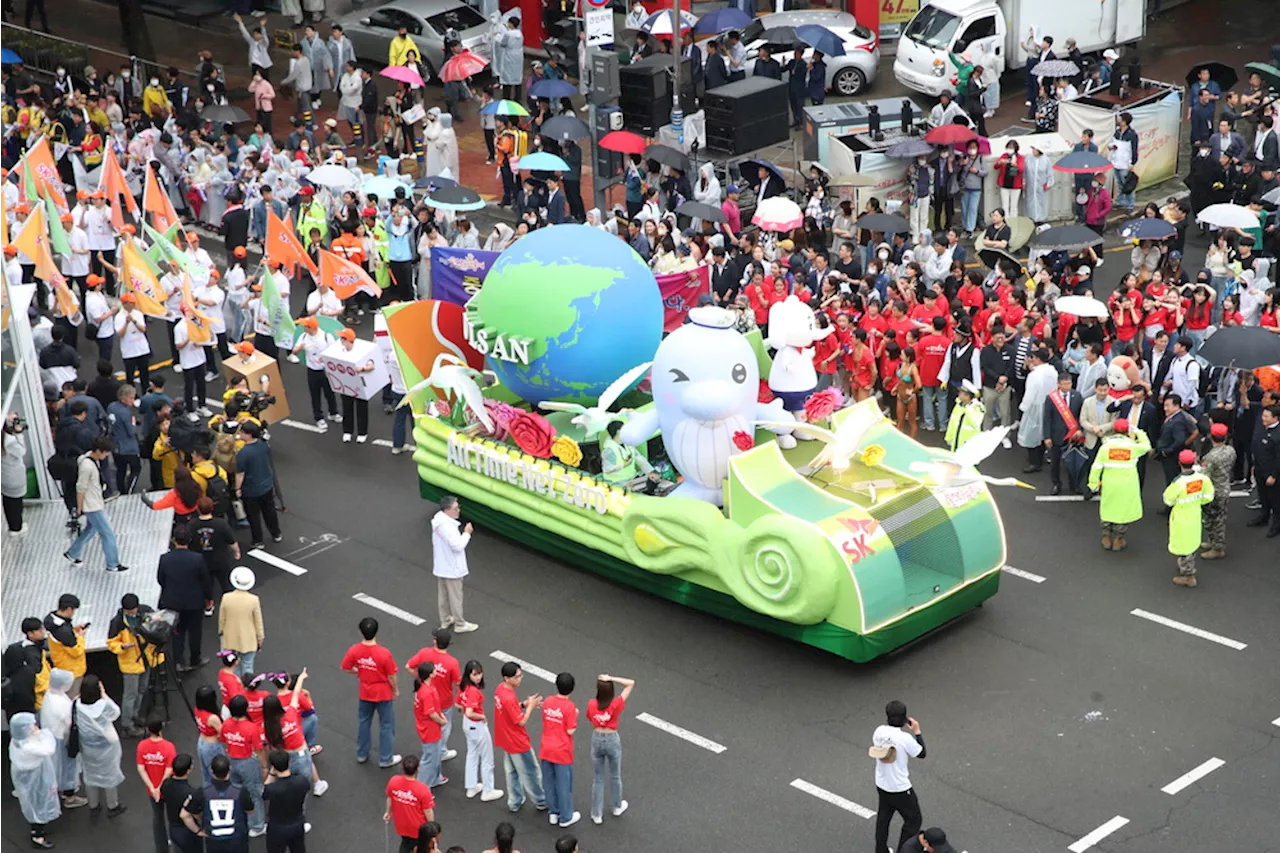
x,y
706,387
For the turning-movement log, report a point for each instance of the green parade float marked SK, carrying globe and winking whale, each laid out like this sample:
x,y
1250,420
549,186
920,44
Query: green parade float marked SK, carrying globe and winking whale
x,y
557,409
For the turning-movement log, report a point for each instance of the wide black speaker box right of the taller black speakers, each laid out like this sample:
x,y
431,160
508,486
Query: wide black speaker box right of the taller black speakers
x,y
747,116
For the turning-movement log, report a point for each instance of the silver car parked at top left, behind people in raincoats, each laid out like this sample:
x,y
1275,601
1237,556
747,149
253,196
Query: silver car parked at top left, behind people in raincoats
x,y
427,21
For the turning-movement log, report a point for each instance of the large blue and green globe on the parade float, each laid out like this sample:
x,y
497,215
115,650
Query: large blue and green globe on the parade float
x,y
588,302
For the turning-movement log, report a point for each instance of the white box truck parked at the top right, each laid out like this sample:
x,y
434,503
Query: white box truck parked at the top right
x,y
1002,28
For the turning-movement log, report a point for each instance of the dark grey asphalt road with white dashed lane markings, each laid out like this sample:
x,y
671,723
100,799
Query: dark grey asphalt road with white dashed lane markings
x,y
1050,713
